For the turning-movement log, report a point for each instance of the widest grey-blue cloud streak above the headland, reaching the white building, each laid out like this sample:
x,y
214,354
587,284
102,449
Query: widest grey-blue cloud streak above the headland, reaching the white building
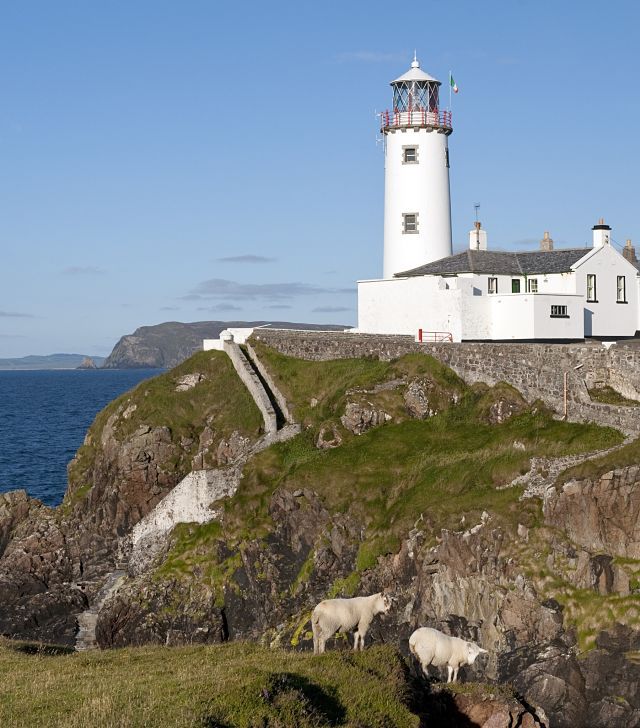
x,y
233,290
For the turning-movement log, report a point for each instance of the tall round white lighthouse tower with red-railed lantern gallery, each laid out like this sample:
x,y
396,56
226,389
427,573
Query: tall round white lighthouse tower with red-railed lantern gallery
x,y
417,205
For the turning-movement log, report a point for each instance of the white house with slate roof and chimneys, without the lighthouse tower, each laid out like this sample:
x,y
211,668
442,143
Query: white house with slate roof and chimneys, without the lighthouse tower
x,y
485,295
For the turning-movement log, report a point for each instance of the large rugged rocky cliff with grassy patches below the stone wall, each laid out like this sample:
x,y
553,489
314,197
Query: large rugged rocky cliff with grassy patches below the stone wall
x,y
404,478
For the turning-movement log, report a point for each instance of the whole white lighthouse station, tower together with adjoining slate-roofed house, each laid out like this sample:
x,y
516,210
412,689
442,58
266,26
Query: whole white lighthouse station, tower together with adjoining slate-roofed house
x,y
480,294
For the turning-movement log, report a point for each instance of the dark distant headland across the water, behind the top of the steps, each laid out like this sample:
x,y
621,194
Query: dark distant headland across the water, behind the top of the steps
x,y
167,345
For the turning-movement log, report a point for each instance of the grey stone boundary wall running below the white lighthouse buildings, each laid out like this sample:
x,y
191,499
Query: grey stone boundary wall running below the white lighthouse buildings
x,y
536,370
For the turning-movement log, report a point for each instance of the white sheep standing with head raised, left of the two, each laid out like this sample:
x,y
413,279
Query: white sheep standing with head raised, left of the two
x,y
343,615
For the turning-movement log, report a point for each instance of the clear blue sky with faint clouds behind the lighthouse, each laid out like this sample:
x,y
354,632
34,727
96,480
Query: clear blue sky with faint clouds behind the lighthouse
x,y
200,160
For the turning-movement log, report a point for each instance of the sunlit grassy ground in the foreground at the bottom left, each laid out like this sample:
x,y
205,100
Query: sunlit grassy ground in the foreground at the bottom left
x,y
237,684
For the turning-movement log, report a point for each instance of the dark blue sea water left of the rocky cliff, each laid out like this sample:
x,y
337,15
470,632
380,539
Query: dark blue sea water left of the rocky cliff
x,y
44,416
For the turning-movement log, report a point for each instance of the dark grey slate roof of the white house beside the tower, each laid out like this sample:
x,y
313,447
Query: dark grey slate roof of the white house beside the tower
x,y
502,263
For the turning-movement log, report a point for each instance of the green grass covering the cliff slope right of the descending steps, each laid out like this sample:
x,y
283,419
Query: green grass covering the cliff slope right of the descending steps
x,y
436,469
